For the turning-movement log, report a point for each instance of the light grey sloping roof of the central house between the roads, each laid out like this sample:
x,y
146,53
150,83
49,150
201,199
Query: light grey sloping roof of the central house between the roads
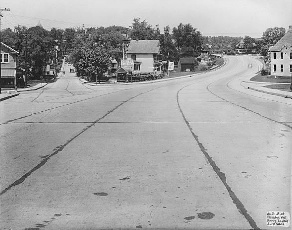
x,y
143,47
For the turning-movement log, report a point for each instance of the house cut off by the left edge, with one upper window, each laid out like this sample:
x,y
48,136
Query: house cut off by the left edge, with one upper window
x,y
8,66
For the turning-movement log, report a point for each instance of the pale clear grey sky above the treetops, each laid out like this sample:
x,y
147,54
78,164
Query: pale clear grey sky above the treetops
x,y
210,17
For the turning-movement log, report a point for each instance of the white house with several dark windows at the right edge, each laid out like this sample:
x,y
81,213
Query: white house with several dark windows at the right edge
x,y
281,55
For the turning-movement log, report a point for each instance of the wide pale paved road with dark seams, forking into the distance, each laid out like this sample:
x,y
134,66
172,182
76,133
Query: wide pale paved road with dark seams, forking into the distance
x,y
195,152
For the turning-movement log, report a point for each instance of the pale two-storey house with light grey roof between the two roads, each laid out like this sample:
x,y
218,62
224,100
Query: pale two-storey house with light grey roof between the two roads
x,y
144,54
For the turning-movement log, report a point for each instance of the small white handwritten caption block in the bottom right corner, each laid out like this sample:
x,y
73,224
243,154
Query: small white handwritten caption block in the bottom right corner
x,y
277,218
